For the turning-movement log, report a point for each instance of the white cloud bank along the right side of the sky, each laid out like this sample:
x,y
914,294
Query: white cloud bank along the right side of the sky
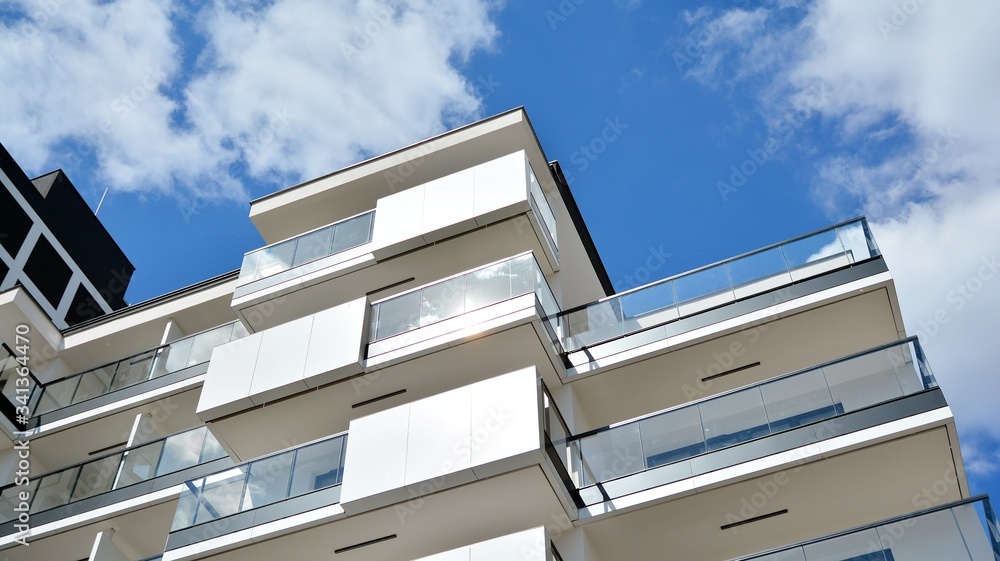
x,y
908,89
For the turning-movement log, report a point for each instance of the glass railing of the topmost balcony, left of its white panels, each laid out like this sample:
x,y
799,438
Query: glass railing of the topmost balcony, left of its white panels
x,y
311,246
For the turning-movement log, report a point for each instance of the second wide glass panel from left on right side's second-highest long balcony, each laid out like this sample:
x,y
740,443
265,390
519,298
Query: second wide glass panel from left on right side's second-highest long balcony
x,y
672,436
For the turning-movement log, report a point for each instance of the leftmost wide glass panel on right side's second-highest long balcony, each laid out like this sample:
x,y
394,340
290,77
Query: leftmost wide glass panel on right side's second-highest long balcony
x,y
611,454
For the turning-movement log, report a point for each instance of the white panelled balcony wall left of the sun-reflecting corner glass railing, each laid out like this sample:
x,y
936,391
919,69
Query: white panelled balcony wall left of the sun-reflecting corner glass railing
x,y
285,360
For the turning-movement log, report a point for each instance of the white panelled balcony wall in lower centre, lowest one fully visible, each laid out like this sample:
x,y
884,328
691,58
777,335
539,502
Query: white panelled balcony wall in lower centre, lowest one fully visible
x,y
449,439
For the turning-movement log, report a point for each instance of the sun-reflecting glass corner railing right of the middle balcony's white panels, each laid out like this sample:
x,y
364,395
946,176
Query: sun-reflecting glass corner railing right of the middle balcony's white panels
x,y
462,294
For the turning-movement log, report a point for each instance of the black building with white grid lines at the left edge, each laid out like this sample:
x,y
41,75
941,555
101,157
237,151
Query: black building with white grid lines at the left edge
x,y
67,215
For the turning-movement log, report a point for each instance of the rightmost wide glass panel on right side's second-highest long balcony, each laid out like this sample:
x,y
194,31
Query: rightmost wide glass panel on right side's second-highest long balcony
x,y
862,381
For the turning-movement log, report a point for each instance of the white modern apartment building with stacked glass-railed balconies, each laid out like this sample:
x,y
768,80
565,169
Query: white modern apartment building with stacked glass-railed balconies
x,y
427,361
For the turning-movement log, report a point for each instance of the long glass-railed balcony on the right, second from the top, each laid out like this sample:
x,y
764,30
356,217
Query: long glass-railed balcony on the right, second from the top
x,y
783,413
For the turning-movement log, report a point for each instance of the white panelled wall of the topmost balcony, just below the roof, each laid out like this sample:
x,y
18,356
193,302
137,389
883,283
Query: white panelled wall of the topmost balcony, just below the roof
x,y
451,204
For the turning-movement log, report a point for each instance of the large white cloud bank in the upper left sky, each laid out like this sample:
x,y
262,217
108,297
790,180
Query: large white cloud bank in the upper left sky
x,y
284,90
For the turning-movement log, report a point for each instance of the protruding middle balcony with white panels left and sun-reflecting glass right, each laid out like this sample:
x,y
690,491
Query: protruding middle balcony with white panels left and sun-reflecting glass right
x,y
418,343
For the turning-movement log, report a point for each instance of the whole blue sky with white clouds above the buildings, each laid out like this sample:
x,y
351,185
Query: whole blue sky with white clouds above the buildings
x,y
690,131
